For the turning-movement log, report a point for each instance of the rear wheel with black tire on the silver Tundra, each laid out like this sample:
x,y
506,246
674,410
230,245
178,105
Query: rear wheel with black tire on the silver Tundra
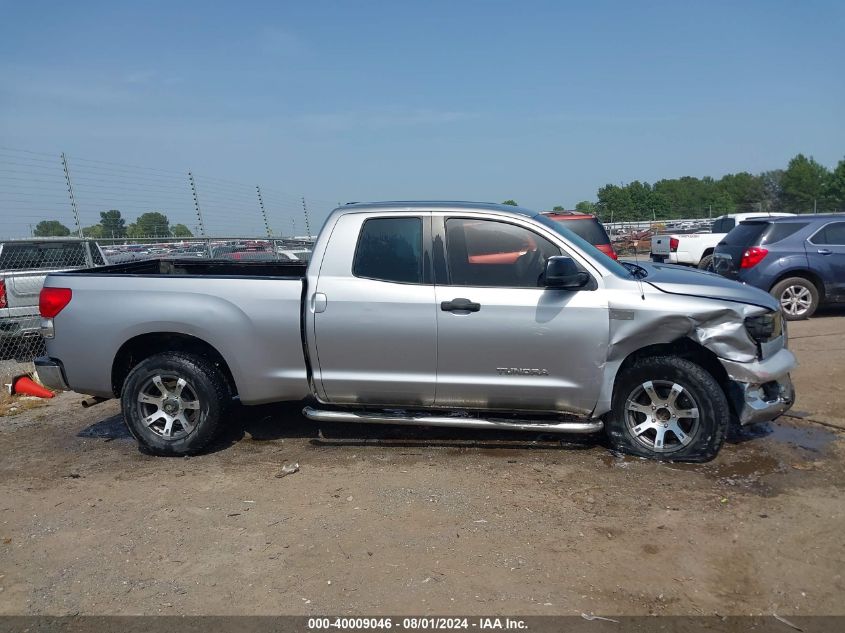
x,y
199,405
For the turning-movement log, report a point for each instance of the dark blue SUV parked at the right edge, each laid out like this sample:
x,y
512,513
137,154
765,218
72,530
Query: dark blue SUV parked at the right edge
x,y
799,259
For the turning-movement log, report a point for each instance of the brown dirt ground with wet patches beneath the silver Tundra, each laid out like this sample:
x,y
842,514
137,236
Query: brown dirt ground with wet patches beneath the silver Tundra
x,y
401,521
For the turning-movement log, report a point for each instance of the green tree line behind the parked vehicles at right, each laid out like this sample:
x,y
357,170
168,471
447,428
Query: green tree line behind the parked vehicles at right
x,y
804,186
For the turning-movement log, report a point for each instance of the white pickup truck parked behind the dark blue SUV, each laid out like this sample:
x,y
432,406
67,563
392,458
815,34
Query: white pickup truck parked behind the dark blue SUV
x,y
696,249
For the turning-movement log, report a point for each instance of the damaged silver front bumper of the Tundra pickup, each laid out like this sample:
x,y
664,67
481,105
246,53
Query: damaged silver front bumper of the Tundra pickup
x,y
762,390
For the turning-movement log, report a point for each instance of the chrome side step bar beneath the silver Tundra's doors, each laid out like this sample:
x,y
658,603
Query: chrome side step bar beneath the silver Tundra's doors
x,y
319,415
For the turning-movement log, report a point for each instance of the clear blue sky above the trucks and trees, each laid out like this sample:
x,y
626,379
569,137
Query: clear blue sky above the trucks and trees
x,y
538,101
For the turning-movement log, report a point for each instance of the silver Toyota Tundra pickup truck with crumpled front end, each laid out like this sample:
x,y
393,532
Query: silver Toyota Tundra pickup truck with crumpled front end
x,y
436,314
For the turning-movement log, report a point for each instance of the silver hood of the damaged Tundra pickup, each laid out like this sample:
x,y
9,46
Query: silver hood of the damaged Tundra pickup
x,y
680,280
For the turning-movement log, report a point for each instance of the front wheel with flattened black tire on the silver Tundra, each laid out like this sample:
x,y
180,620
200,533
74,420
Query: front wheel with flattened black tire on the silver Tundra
x,y
703,434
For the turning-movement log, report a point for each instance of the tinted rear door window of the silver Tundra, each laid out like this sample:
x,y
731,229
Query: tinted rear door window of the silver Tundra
x,y
390,249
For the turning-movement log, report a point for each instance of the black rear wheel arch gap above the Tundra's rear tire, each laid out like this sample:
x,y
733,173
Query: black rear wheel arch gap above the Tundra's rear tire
x,y
143,346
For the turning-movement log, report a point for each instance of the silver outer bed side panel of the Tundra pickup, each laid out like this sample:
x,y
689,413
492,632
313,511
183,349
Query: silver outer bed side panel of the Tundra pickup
x,y
247,312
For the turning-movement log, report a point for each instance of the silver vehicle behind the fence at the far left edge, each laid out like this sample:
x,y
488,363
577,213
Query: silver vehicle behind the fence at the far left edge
x,y
23,266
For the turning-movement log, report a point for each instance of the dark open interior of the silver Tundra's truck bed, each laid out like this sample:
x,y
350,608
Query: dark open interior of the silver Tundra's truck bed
x,y
200,268
